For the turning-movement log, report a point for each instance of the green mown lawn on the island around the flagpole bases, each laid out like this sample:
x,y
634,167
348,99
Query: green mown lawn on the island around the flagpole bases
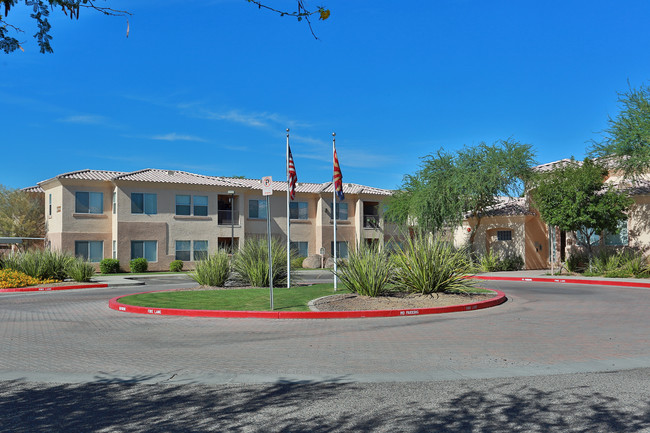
x,y
253,299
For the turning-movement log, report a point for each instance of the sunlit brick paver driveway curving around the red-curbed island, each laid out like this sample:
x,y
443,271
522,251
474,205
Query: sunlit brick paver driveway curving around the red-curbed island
x,y
543,328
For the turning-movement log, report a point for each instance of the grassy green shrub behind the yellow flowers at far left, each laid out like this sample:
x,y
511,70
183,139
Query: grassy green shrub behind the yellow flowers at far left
x,y
41,264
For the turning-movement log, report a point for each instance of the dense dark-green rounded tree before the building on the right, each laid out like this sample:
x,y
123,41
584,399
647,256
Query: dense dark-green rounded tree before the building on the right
x,y
574,198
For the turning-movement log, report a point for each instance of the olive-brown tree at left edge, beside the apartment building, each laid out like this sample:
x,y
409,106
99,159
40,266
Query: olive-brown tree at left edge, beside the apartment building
x,y
22,214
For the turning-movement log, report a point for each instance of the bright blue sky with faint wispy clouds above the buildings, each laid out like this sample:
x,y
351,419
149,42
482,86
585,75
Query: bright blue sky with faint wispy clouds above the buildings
x,y
210,86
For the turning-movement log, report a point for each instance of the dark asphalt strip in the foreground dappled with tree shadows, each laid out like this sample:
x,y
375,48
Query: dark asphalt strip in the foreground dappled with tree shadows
x,y
298,407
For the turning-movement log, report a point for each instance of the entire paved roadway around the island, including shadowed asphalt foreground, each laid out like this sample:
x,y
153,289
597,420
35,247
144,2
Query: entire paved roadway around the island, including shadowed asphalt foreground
x,y
553,358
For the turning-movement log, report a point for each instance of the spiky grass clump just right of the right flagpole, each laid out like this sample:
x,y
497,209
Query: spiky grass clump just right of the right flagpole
x,y
367,271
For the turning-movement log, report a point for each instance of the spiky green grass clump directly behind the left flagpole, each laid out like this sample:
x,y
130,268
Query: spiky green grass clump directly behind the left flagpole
x,y
251,263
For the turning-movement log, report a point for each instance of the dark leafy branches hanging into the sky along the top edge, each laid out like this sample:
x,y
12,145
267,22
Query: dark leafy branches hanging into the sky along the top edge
x,y
41,10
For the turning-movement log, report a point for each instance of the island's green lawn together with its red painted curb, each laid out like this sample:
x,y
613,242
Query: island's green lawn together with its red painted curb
x,y
254,303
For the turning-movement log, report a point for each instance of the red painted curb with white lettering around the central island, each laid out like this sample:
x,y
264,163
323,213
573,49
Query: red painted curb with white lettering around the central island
x,y
116,305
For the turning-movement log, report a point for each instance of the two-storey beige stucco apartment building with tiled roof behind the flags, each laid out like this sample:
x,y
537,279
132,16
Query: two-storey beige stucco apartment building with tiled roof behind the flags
x,y
165,215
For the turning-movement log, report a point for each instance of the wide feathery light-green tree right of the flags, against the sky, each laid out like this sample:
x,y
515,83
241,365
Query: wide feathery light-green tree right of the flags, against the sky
x,y
450,185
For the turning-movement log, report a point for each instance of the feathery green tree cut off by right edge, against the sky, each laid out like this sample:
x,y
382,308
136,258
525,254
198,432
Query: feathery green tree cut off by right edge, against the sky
x,y
627,139
